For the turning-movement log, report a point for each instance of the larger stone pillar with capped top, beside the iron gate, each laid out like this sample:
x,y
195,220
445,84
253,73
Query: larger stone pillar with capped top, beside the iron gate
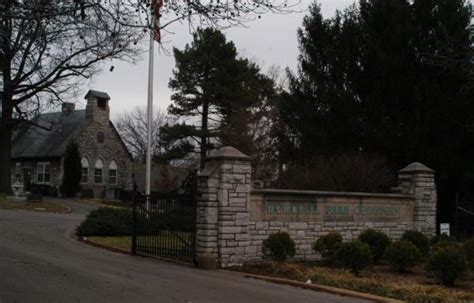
x,y
223,208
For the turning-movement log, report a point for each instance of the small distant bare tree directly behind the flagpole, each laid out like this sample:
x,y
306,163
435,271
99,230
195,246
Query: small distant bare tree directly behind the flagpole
x,y
132,127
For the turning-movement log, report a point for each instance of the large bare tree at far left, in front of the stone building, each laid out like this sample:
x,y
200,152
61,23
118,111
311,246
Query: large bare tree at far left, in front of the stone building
x,y
46,48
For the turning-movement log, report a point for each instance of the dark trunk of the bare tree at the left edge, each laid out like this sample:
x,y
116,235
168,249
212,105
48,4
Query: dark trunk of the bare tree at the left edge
x,y
6,127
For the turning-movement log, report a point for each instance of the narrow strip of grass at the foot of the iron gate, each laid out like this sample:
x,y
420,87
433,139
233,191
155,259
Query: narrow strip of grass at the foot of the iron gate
x,y
165,240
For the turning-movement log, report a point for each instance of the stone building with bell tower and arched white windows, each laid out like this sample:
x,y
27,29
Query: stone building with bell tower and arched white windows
x,y
38,152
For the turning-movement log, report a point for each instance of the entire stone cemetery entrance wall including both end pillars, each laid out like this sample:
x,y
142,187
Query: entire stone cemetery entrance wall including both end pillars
x,y
233,220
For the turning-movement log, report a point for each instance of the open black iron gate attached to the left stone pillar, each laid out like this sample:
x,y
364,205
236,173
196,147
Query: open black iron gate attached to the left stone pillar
x,y
164,225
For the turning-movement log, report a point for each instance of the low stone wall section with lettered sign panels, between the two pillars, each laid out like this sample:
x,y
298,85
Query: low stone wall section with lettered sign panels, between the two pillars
x,y
307,215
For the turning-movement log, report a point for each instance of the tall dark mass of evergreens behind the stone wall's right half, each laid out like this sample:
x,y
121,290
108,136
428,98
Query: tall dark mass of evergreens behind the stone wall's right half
x,y
387,77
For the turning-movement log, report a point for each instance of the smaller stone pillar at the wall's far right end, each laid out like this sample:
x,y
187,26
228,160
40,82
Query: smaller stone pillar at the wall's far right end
x,y
418,180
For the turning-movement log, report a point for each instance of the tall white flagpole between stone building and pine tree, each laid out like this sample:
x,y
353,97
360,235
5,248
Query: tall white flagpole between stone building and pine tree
x,y
149,113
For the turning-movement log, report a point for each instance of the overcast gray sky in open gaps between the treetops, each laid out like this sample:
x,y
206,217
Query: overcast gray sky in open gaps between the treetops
x,y
270,40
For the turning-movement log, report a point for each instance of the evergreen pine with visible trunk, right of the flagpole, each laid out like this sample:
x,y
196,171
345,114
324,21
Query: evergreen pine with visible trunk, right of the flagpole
x,y
212,86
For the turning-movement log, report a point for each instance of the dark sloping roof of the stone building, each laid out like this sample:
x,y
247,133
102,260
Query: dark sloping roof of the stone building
x,y
35,142
